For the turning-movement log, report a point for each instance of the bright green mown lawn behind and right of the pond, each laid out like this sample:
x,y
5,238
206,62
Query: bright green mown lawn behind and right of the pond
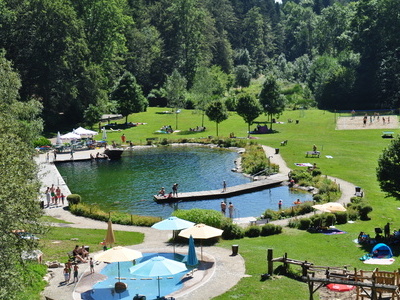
x,y
355,154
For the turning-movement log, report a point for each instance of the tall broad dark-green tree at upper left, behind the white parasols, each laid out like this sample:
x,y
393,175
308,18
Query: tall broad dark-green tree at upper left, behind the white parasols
x,y
46,42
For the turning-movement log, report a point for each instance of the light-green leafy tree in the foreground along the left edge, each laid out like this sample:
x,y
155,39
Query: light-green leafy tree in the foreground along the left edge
x,y
19,190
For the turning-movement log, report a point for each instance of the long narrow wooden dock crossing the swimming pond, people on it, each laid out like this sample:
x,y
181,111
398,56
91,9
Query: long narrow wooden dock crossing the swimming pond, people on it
x,y
272,181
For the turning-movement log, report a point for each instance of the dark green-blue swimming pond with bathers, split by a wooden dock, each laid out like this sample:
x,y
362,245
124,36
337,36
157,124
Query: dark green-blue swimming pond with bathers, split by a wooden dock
x,y
129,184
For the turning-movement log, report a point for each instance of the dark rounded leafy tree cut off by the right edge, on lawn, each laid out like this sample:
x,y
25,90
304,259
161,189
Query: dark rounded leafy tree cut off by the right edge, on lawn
x,y
389,168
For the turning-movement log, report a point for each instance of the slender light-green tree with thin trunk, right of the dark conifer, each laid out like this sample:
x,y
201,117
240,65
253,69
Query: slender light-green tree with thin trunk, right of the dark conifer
x,y
175,89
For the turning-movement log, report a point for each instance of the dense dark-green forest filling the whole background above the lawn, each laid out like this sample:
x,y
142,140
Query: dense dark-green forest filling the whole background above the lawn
x,y
71,54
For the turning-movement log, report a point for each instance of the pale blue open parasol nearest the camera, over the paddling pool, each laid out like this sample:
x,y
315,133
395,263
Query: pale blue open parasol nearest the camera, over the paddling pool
x,y
158,266
